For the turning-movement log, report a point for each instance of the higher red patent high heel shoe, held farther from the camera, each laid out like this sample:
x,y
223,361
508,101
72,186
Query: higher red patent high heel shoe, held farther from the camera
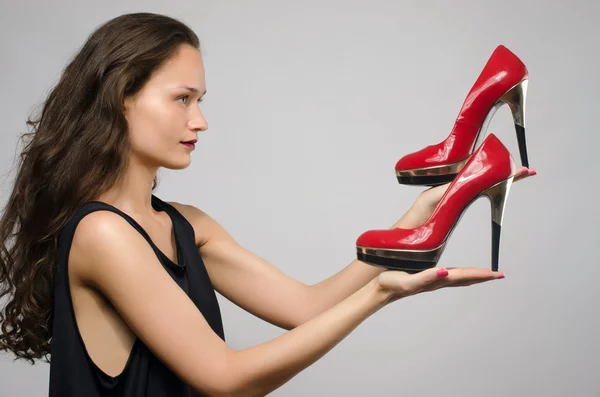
x,y
503,80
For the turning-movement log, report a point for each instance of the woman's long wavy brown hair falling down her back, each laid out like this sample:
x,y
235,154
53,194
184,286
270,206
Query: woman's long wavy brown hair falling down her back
x,y
75,150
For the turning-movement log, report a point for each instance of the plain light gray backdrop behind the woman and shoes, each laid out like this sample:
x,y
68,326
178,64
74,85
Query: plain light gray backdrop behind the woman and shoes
x,y
309,106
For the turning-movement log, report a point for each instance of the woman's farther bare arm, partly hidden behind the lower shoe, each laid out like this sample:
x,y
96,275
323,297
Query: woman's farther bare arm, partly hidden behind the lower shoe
x,y
262,289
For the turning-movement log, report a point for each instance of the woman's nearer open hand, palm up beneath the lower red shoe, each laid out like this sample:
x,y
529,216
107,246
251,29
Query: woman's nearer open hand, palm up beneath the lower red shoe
x,y
398,284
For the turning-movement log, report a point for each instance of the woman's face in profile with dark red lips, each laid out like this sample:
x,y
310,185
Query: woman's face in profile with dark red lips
x,y
166,112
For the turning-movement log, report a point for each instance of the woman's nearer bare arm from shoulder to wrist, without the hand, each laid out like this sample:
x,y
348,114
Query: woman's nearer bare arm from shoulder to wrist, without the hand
x,y
123,267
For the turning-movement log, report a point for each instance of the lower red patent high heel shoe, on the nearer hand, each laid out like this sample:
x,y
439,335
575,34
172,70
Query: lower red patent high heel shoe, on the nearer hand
x,y
489,171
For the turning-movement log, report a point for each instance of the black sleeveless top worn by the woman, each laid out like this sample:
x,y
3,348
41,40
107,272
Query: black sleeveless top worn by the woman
x,y
72,372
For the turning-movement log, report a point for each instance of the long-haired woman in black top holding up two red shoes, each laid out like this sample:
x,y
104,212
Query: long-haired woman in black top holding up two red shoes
x,y
118,285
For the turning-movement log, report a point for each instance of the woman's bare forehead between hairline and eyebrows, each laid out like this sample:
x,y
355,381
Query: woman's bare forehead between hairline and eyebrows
x,y
185,67
